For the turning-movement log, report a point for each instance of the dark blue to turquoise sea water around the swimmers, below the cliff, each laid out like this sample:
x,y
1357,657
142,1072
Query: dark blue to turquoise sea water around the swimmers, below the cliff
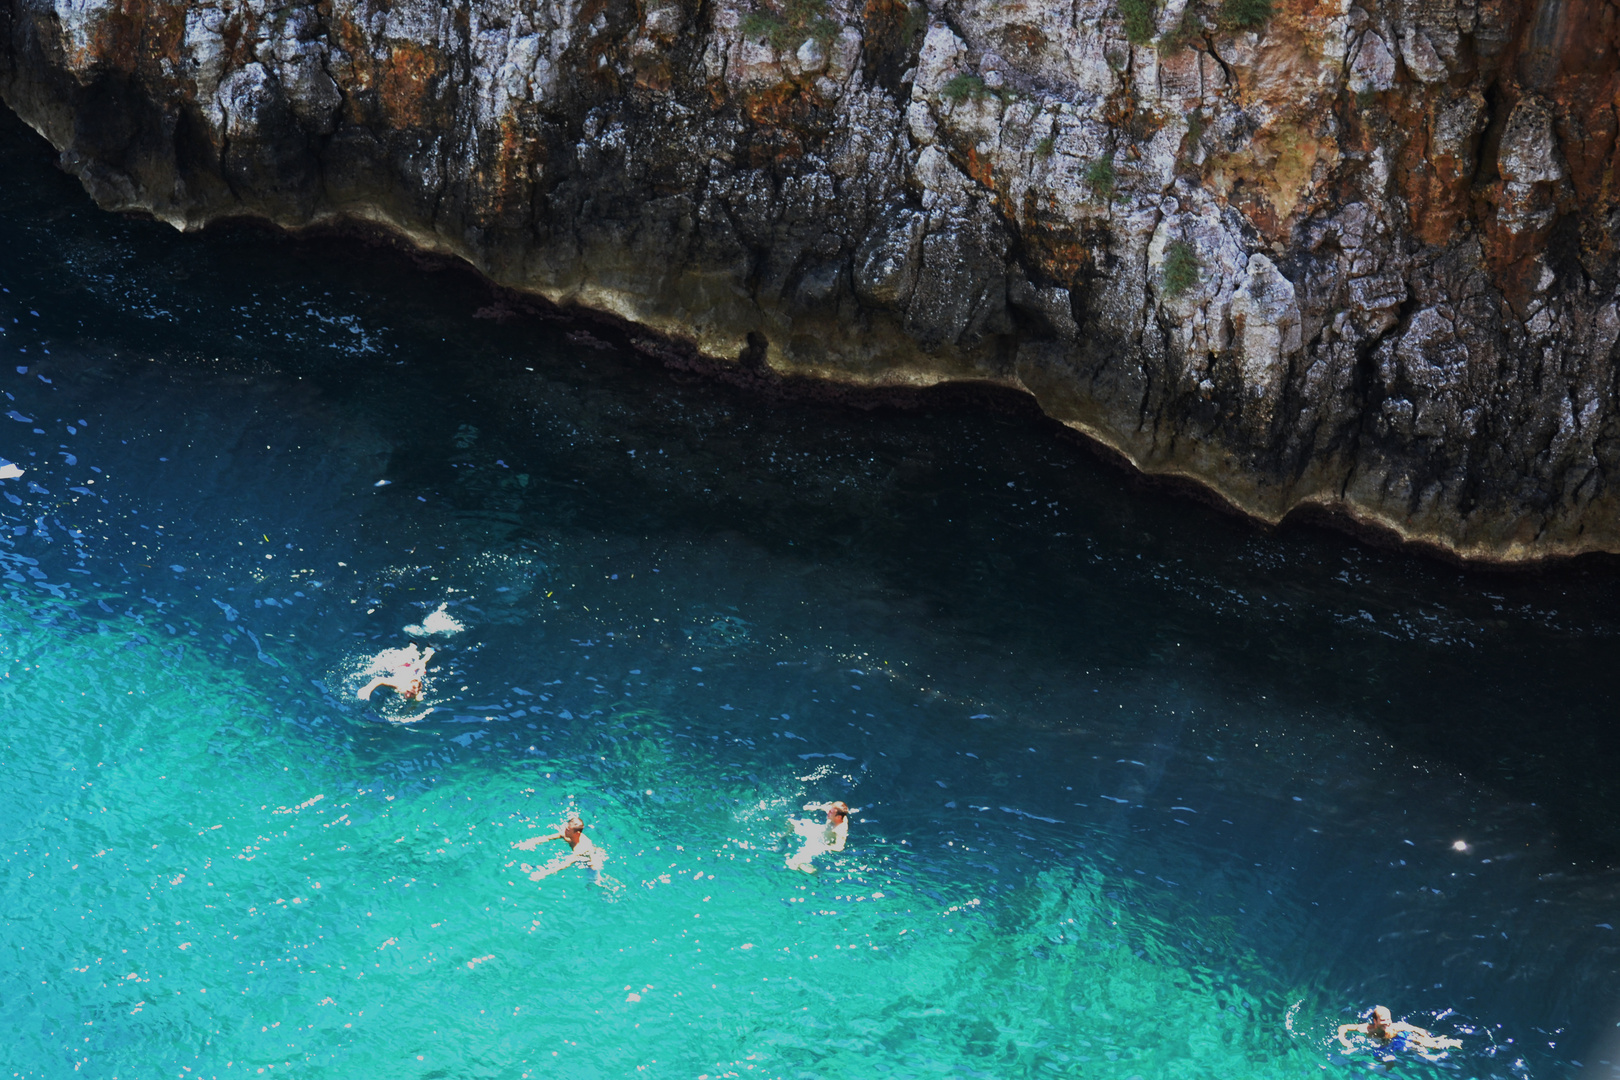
x,y
1141,791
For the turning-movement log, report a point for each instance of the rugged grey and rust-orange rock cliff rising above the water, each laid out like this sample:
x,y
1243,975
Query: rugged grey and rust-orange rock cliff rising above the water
x,y
1311,255
